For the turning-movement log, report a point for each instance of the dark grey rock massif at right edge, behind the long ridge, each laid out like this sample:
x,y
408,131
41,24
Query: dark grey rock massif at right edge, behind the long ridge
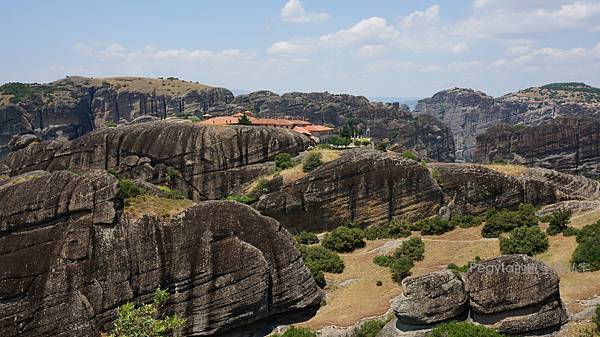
x,y
568,144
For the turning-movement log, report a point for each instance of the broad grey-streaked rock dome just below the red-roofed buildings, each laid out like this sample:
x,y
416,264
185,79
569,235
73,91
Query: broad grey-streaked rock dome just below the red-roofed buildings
x,y
204,162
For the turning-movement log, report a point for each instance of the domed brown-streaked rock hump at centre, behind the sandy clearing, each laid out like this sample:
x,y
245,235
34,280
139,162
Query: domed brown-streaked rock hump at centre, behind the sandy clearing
x,y
366,187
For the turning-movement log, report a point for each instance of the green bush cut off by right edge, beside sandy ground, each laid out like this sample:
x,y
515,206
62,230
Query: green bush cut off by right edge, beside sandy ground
x,y
587,254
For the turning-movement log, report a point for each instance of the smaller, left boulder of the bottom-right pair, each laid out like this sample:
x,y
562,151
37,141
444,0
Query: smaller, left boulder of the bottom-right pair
x,y
431,298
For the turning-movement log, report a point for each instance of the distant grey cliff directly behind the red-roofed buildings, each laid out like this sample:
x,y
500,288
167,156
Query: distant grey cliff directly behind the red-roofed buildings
x,y
427,136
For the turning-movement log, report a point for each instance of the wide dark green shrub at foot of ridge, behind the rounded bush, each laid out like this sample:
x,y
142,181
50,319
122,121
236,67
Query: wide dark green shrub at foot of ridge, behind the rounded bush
x,y
498,222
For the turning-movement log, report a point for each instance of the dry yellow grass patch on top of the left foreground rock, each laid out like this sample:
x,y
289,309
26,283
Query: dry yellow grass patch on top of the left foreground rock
x,y
157,206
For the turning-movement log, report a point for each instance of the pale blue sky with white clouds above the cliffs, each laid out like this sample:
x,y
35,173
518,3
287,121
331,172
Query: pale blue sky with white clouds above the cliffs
x,y
375,48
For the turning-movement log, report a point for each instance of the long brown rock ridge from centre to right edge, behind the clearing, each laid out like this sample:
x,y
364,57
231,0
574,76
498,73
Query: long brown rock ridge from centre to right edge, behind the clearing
x,y
371,187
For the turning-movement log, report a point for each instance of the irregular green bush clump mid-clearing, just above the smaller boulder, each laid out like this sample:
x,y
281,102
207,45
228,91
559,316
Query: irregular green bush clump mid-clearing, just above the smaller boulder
x,y
403,258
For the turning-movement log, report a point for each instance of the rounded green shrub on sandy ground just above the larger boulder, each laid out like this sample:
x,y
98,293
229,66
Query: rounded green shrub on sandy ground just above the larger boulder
x,y
525,240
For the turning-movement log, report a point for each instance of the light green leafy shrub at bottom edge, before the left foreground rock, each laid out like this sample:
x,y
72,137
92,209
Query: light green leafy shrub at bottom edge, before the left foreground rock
x,y
145,320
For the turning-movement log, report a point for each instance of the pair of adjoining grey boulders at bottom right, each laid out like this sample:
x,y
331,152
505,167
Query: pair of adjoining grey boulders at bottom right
x,y
513,294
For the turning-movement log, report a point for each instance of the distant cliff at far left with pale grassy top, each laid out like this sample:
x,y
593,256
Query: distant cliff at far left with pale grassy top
x,y
71,107
